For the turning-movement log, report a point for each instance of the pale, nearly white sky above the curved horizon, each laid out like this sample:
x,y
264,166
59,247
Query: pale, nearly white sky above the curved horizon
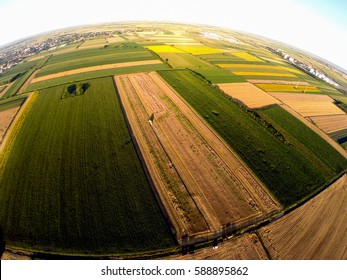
x,y
318,26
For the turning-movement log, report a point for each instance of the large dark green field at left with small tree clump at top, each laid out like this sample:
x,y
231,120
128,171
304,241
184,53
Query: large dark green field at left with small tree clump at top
x,y
81,189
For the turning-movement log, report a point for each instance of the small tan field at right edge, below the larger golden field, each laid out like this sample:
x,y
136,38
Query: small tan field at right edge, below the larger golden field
x,y
331,123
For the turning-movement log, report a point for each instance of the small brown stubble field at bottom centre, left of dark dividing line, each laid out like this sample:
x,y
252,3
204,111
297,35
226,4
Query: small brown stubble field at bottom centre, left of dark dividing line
x,y
244,247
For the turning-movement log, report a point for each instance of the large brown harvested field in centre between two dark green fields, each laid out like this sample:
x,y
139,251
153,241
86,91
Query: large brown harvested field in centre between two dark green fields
x,y
210,187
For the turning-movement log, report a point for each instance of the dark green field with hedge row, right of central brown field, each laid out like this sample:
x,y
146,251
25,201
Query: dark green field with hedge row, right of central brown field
x,y
291,170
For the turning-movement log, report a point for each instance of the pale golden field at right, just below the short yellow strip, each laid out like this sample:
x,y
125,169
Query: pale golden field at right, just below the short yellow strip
x,y
309,104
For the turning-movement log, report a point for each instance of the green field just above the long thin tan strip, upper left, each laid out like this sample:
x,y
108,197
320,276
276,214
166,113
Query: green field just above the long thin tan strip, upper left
x,y
93,57
